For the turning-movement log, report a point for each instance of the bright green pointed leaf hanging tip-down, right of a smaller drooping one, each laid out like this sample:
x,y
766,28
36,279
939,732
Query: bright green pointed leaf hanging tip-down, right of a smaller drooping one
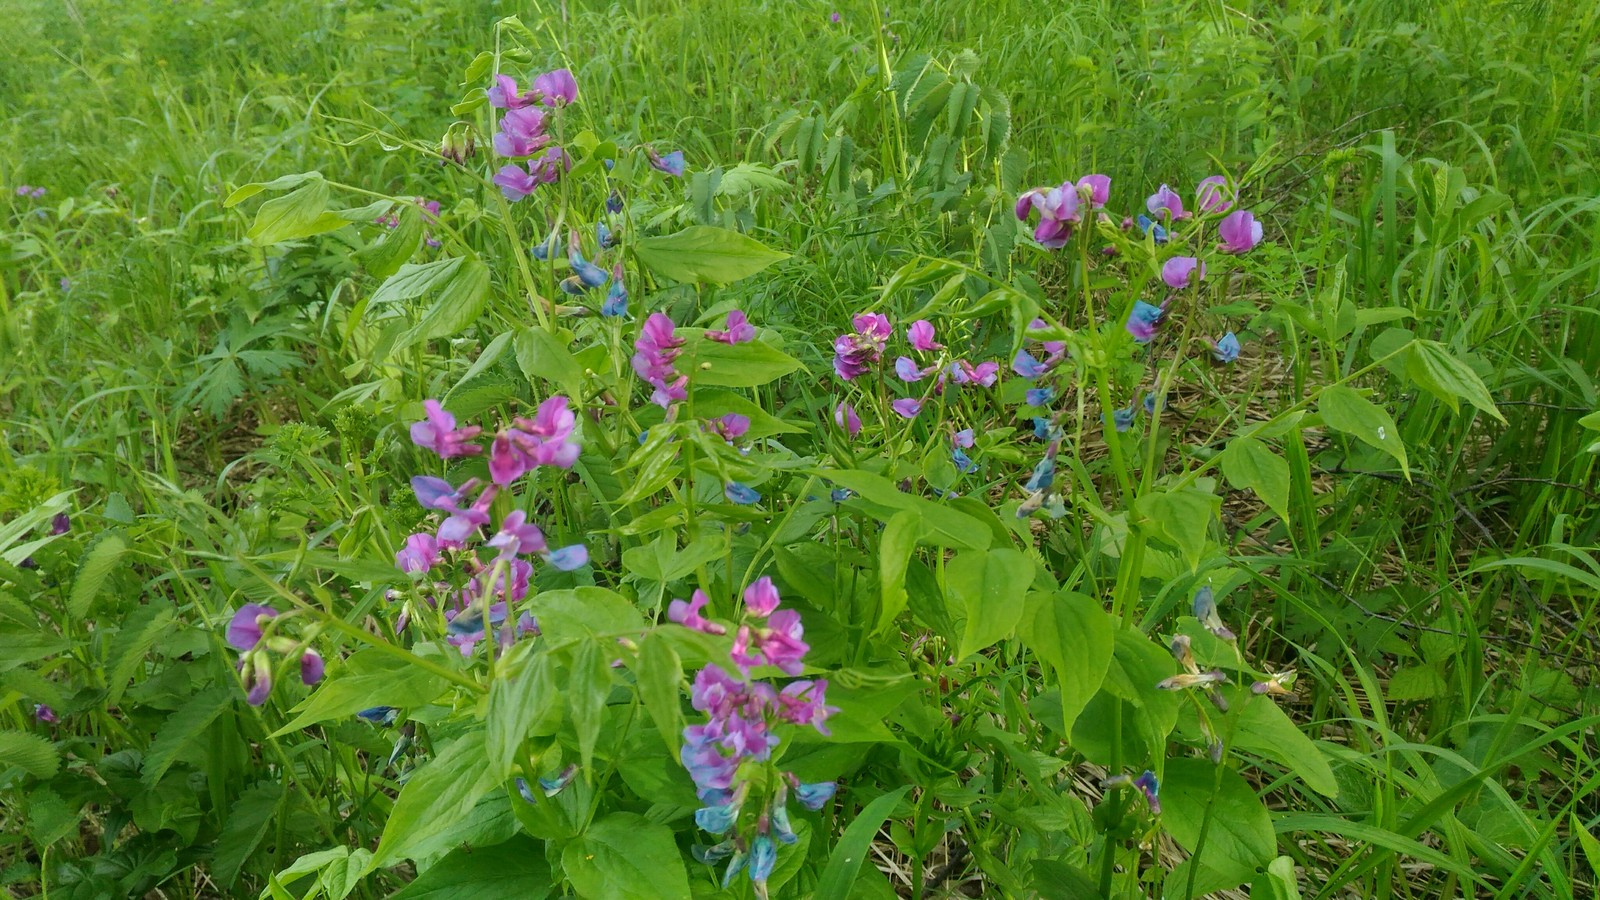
x,y
1074,637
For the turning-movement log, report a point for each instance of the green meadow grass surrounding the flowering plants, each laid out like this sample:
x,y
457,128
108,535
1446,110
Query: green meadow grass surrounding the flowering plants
x,y
1439,161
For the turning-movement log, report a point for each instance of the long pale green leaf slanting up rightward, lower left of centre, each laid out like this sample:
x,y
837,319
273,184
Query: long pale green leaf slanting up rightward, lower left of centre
x,y
438,797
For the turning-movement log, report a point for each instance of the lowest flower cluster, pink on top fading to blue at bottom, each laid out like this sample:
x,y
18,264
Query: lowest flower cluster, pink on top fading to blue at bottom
x,y
730,757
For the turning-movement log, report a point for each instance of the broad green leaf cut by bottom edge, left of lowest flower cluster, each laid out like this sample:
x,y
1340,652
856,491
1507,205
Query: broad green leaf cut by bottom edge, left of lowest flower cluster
x,y
626,858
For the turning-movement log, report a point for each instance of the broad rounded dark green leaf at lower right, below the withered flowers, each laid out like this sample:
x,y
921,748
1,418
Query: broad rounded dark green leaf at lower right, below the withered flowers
x,y
1241,834
